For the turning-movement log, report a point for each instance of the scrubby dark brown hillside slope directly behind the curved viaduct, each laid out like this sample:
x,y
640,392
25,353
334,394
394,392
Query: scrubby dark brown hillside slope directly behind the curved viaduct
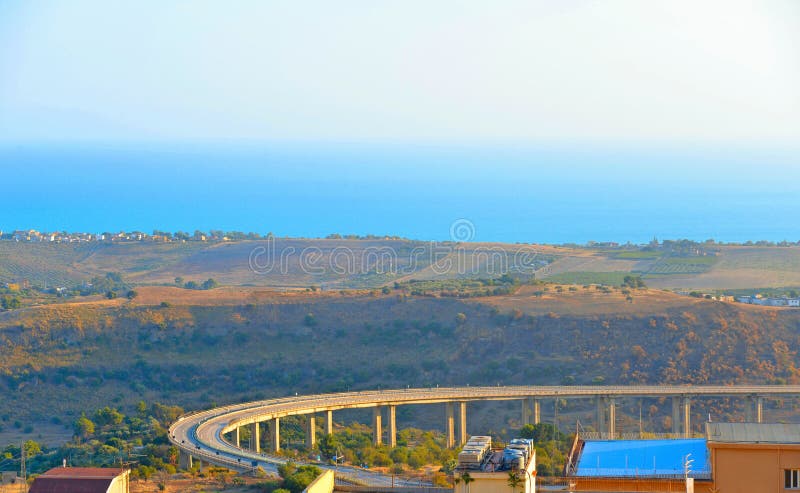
x,y
62,359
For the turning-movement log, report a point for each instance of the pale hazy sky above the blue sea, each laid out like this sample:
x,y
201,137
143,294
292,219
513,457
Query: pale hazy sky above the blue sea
x,y
708,72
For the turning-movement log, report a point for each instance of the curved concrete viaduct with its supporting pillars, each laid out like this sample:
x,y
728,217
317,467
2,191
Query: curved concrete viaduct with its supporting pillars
x,y
203,434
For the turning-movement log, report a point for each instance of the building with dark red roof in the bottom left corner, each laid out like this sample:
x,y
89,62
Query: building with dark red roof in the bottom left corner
x,y
82,480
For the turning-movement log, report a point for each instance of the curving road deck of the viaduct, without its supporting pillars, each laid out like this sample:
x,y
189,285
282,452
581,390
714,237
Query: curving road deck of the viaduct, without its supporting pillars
x,y
200,434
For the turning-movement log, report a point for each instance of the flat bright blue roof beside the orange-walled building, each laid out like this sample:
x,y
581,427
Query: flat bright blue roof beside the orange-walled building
x,y
642,458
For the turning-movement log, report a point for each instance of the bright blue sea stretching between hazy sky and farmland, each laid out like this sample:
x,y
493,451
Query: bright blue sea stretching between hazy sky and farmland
x,y
555,194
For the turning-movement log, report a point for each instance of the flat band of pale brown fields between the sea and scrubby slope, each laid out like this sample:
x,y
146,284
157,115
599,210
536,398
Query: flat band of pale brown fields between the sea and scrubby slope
x,y
340,263
